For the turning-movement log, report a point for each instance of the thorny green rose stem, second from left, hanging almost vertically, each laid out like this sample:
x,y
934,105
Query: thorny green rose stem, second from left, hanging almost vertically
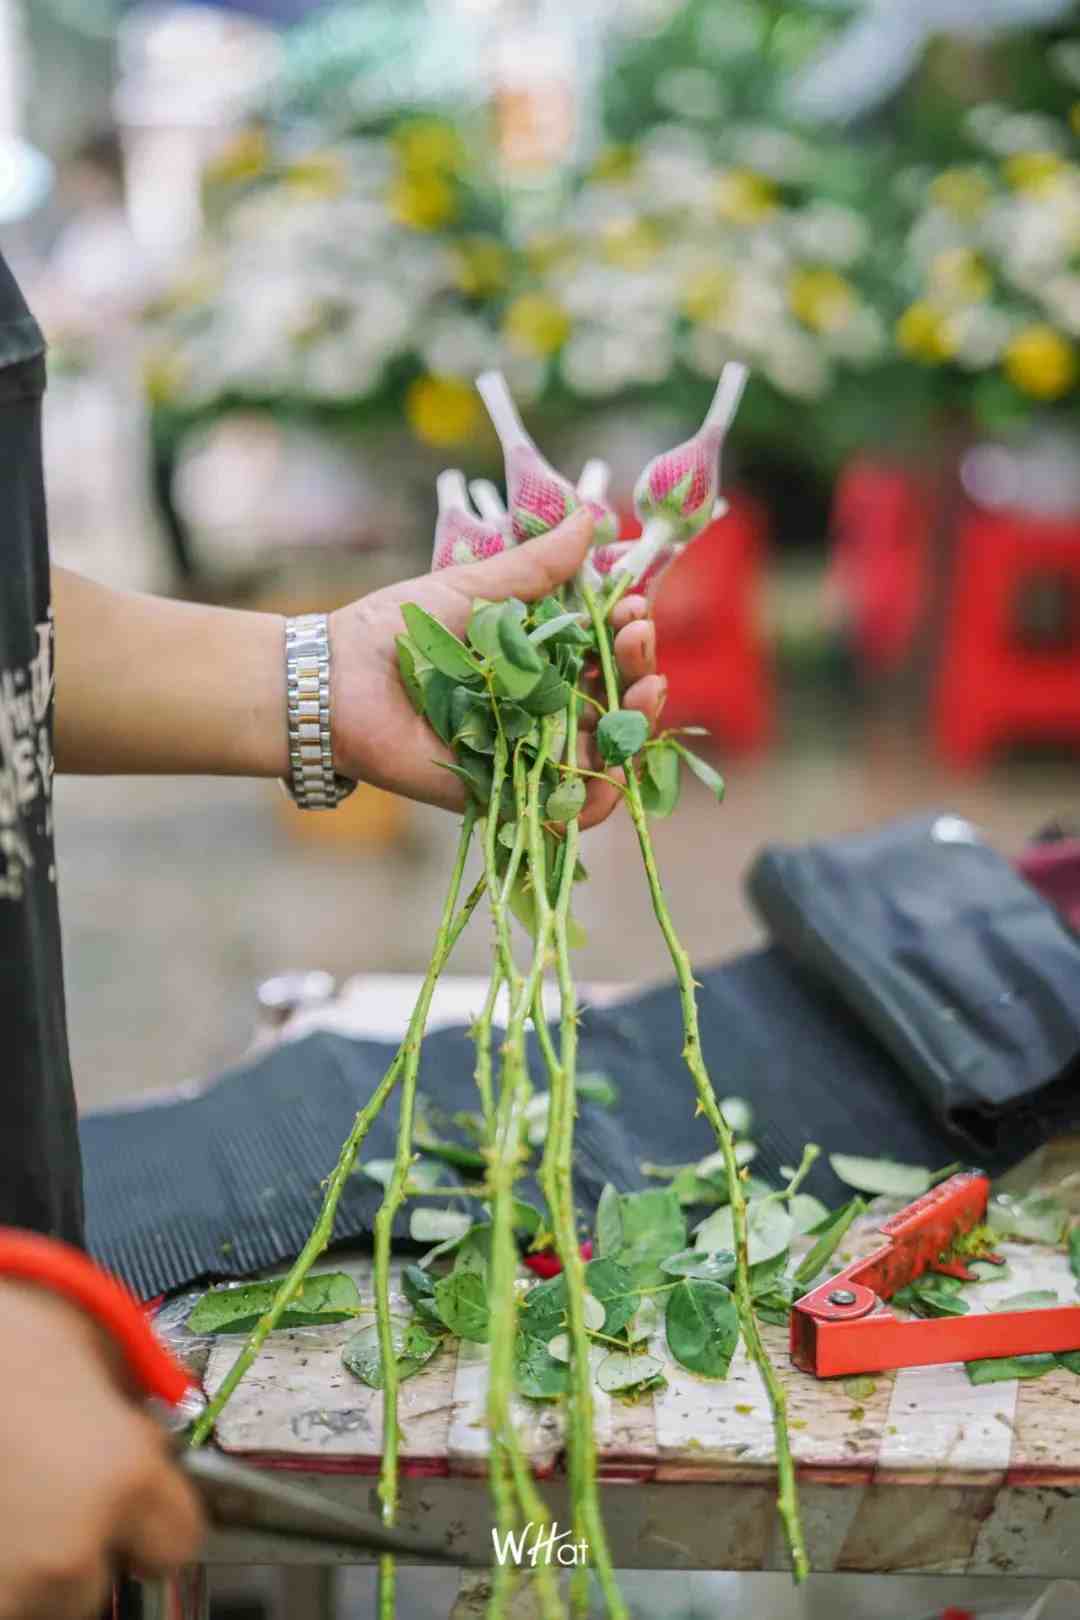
x,y
396,1192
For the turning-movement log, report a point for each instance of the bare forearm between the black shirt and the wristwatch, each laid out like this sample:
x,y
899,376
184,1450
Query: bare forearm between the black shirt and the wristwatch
x,y
158,688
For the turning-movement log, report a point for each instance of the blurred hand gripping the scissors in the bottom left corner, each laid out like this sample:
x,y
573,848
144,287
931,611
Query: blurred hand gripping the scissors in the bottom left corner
x,y
88,1486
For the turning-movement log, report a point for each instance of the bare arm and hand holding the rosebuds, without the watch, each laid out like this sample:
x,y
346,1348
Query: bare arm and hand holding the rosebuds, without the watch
x,y
153,686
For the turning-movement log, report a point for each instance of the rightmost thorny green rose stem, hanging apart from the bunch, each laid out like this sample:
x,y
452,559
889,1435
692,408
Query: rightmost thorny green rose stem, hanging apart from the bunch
x,y
788,1494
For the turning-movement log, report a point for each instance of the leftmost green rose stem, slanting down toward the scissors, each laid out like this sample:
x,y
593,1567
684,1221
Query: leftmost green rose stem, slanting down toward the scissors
x,y
325,1227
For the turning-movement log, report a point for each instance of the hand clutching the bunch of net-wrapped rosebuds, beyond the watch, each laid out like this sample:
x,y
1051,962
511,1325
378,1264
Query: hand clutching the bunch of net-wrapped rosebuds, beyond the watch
x,y
378,735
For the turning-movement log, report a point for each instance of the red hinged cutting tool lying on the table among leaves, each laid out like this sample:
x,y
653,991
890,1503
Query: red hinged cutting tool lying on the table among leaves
x,y
846,1326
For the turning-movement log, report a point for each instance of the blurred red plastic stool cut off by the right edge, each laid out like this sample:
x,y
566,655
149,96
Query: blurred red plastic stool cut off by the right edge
x,y
993,688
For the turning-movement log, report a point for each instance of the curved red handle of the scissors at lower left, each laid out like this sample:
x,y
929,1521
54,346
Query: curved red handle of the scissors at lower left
x,y
69,1273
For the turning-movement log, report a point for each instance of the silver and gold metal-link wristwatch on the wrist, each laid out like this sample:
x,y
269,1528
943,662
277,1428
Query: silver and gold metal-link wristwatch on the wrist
x,y
313,783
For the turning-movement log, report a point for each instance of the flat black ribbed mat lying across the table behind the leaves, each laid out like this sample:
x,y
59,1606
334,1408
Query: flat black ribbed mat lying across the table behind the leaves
x,y
229,1183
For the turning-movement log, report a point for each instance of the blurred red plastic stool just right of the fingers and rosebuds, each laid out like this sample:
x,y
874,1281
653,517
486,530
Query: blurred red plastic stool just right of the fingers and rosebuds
x,y
710,642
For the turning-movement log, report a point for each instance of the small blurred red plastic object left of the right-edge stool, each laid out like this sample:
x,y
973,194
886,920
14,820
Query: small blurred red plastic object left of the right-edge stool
x,y
878,561
